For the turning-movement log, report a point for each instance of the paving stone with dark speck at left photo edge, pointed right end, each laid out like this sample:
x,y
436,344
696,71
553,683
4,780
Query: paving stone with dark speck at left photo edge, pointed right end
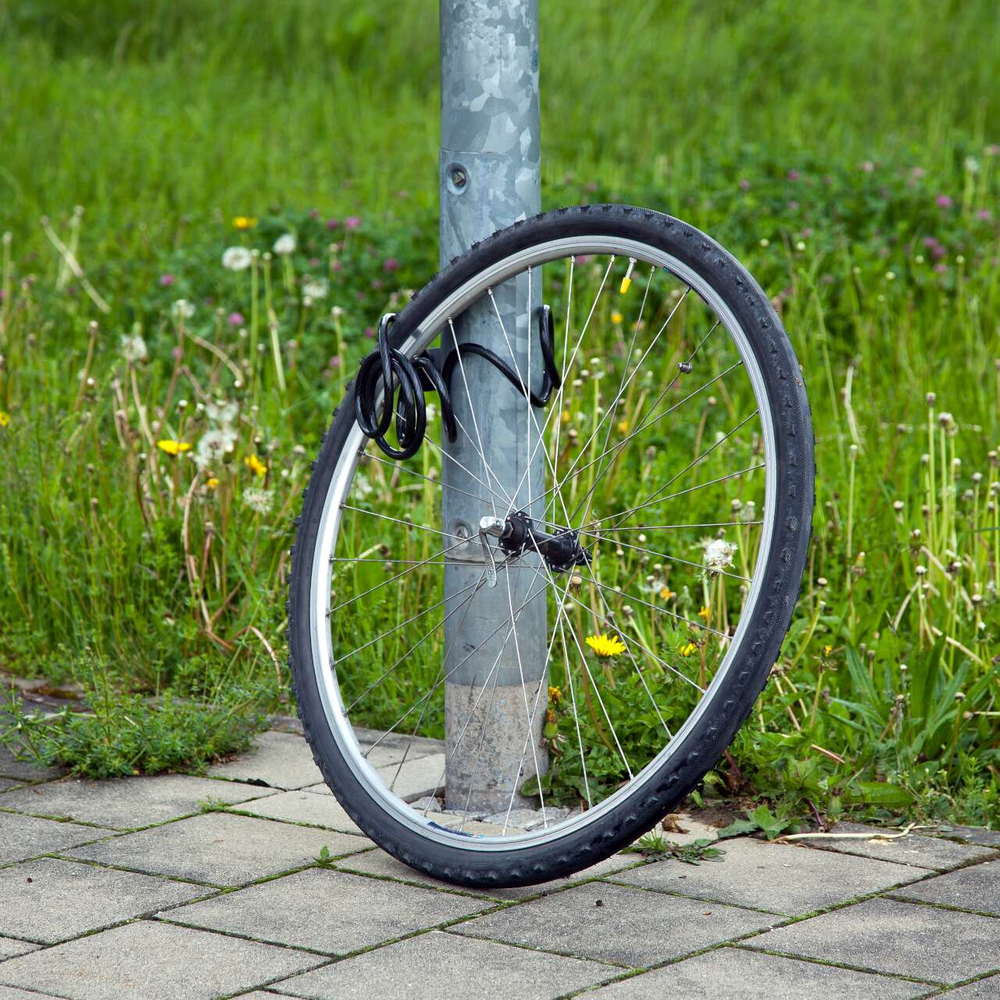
x,y
50,900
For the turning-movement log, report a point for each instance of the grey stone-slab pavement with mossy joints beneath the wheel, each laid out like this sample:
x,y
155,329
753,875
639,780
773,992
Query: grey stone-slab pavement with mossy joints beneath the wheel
x,y
184,887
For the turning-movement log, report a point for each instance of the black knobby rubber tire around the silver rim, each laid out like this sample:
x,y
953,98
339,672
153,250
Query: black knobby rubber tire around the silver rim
x,y
733,701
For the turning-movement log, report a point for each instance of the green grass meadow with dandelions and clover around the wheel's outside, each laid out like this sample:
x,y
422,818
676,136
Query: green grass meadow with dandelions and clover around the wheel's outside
x,y
867,210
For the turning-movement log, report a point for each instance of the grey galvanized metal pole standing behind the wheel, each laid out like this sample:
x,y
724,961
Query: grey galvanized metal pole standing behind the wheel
x,y
489,179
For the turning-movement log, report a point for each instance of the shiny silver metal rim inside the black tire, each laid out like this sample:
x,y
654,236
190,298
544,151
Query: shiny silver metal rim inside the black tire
x,y
323,661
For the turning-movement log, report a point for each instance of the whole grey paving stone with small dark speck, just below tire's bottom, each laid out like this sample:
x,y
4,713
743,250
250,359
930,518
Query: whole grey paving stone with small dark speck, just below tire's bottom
x,y
629,926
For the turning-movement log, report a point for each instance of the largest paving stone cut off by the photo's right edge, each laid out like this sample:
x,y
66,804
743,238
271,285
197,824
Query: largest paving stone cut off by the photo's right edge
x,y
906,939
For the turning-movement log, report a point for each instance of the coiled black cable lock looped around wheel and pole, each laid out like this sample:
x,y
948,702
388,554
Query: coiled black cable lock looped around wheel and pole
x,y
387,369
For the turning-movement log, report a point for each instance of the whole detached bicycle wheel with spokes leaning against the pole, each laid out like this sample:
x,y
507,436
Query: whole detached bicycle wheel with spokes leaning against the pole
x,y
659,550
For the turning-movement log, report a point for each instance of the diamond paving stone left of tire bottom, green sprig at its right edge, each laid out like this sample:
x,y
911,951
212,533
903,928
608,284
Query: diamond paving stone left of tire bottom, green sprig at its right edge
x,y
220,848
